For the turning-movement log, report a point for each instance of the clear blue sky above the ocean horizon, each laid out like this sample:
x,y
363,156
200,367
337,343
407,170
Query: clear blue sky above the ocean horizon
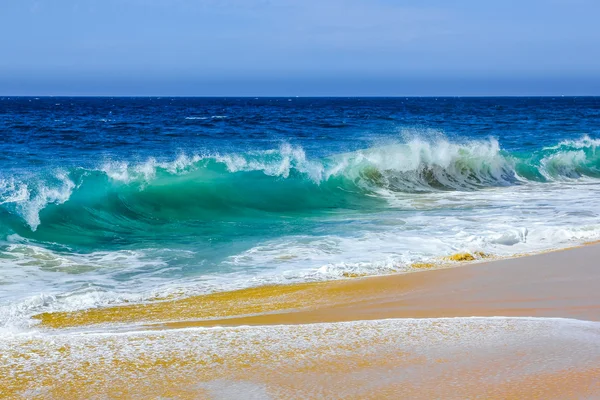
x,y
299,47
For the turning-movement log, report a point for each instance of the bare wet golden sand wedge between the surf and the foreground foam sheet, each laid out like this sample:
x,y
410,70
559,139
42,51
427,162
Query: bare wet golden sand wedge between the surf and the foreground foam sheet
x,y
418,294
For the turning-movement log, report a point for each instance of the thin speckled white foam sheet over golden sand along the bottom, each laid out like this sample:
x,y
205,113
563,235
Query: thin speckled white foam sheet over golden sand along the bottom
x,y
360,358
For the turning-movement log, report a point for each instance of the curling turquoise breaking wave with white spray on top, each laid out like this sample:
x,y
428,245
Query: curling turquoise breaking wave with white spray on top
x,y
211,186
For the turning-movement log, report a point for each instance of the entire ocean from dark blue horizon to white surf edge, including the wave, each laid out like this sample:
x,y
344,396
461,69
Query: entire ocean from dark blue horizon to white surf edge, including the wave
x,y
105,200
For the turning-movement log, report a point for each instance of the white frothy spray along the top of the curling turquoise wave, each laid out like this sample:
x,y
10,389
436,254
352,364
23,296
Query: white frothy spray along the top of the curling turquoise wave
x,y
415,165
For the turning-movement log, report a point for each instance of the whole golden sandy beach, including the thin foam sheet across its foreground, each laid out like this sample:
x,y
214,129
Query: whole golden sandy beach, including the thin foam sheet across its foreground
x,y
516,328
